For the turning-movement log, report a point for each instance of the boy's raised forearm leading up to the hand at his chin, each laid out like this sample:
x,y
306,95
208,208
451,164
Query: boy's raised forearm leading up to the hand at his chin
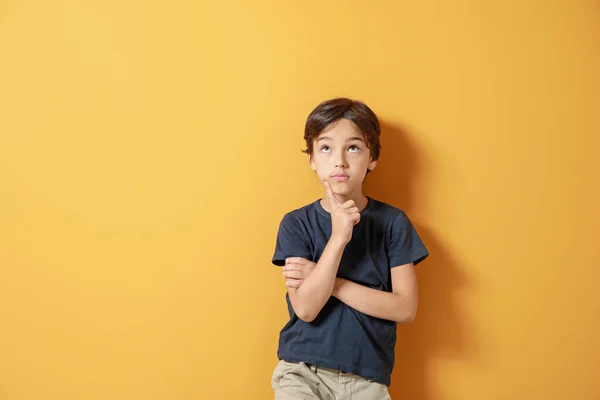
x,y
316,289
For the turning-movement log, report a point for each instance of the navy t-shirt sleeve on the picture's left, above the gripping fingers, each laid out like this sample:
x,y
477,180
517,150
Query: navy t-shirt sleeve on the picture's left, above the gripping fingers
x,y
291,241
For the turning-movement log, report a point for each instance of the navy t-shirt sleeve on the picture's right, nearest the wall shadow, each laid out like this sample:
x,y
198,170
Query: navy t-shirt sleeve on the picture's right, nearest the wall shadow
x,y
405,244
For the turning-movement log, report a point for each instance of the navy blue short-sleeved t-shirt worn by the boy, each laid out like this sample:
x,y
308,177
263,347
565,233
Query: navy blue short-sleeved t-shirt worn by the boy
x,y
341,337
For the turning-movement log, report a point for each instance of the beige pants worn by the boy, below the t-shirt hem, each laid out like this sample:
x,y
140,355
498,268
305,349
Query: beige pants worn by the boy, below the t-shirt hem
x,y
305,381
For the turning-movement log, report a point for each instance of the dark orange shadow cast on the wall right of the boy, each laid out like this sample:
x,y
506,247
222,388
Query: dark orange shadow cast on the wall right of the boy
x,y
438,331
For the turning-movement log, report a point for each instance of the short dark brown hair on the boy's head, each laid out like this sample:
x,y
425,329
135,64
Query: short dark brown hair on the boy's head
x,y
330,111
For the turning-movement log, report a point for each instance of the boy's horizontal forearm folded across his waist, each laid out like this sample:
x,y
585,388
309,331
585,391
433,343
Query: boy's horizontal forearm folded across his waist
x,y
376,303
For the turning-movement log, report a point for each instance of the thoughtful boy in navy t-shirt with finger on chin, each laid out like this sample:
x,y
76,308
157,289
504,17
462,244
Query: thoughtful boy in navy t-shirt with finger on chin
x,y
349,266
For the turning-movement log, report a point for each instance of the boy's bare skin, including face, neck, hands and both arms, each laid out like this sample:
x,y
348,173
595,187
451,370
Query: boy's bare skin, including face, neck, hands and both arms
x,y
341,149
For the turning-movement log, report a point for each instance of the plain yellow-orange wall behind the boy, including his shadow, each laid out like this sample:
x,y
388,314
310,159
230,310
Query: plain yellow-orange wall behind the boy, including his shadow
x,y
149,150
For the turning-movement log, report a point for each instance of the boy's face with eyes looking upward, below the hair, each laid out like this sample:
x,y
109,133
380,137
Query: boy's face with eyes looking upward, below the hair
x,y
342,158
